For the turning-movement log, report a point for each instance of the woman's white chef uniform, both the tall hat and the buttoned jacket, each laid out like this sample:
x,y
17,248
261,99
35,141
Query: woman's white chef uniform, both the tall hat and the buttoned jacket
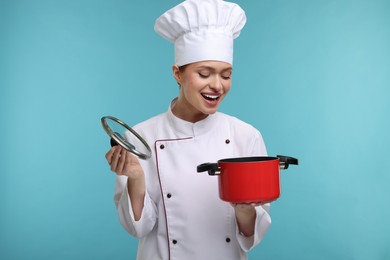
x,y
183,217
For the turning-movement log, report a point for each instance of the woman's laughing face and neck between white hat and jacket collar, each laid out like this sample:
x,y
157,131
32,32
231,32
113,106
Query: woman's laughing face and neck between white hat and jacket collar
x,y
203,85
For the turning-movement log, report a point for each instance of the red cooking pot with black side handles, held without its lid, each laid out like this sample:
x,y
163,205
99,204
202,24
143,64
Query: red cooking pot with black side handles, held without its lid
x,y
249,179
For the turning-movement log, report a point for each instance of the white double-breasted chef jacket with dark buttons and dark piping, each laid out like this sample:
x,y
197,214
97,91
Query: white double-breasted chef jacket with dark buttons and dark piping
x,y
183,217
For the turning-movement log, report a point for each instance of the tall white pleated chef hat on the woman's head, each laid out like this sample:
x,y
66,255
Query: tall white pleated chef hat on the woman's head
x,y
202,30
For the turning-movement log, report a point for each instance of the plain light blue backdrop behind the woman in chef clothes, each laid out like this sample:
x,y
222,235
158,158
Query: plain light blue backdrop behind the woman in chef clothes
x,y
313,76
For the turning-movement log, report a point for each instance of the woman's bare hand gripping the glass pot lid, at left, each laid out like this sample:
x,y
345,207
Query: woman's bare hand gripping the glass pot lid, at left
x,y
124,163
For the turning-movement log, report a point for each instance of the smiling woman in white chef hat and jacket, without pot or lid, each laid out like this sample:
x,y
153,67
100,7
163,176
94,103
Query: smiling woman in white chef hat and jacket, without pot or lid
x,y
174,211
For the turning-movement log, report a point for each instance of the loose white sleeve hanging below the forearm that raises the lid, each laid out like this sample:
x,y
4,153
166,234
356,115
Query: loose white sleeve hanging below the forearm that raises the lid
x,y
122,201
